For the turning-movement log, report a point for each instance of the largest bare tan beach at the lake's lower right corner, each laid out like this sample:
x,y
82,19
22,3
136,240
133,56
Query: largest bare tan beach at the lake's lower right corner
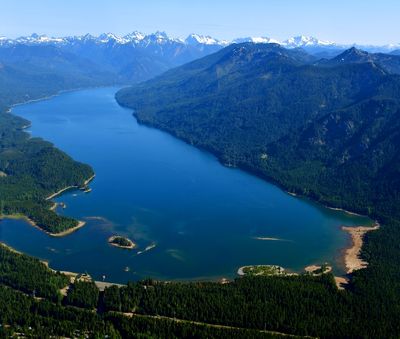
x,y
352,258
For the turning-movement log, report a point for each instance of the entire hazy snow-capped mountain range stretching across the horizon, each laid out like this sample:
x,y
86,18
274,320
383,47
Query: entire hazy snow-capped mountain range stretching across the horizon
x,y
137,56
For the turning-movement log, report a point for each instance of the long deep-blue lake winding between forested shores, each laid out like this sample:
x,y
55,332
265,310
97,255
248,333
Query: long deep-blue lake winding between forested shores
x,y
191,217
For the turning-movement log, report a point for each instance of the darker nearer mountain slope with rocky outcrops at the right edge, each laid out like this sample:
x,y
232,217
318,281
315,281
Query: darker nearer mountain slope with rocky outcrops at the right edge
x,y
350,158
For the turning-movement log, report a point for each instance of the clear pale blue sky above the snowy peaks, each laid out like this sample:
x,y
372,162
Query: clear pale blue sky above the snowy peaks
x,y
360,21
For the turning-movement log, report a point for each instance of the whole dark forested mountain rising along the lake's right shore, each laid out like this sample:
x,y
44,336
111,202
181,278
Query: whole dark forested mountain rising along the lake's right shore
x,y
328,131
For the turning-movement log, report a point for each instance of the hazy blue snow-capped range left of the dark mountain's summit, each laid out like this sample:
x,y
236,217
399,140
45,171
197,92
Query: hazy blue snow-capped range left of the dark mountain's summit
x,y
103,60
